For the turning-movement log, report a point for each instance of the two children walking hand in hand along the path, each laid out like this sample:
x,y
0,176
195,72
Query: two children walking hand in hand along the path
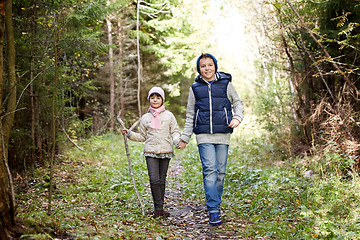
x,y
213,110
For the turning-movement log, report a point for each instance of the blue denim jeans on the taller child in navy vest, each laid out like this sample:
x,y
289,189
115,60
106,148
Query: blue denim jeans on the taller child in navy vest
x,y
214,159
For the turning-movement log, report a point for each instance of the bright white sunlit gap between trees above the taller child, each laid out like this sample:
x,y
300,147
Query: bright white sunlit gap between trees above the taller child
x,y
232,33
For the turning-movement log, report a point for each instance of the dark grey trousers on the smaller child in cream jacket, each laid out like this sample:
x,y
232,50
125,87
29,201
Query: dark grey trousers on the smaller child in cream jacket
x,y
157,169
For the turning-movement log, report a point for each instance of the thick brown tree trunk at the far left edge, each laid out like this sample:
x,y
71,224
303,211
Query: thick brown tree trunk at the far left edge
x,y
7,198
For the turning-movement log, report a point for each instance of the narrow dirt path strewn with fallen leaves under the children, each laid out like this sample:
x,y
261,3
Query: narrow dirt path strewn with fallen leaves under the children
x,y
189,218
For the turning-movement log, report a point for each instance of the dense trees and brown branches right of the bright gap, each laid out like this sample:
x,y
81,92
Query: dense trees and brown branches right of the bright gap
x,y
309,97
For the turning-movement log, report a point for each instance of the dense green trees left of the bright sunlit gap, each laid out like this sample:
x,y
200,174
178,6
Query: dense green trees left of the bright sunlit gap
x,y
75,33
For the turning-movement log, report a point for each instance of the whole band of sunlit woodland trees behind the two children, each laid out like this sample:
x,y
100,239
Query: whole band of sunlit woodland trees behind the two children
x,y
69,67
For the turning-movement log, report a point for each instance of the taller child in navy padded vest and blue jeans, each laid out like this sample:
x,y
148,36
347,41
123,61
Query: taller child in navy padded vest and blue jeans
x,y
213,110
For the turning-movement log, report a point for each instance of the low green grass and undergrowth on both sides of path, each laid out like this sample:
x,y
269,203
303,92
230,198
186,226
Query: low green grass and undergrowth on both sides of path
x,y
265,197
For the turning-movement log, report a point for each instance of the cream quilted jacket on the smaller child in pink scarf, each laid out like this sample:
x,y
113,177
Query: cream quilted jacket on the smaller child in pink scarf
x,y
157,141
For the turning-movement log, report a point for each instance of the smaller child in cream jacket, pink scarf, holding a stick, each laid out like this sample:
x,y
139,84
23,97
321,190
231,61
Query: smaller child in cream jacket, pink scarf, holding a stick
x,y
159,130
